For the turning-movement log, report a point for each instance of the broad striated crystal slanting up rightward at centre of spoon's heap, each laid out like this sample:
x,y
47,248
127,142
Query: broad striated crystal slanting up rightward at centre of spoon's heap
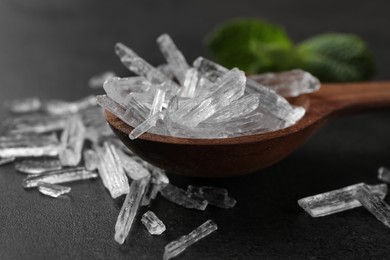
x,y
229,88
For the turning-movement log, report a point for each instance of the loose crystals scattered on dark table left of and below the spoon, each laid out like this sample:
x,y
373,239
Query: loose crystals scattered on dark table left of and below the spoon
x,y
56,142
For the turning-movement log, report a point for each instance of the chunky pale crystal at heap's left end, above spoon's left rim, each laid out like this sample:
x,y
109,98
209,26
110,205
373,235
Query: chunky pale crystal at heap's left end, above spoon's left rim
x,y
118,88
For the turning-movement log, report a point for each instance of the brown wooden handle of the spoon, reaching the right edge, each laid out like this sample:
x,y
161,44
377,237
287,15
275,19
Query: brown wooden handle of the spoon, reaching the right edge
x,y
345,98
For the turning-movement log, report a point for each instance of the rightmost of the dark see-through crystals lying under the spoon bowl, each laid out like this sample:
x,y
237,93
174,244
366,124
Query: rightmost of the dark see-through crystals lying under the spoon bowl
x,y
215,196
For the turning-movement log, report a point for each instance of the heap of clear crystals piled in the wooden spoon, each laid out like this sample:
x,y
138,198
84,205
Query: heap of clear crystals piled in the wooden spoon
x,y
202,101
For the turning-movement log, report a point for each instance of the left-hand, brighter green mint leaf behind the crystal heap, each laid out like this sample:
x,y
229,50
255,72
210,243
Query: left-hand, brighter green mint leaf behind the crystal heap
x,y
252,45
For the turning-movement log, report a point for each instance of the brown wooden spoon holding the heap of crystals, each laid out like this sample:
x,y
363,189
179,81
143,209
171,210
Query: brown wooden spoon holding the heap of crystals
x,y
241,155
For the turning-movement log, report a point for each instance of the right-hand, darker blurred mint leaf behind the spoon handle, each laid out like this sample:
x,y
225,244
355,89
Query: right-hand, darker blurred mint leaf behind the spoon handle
x,y
335,57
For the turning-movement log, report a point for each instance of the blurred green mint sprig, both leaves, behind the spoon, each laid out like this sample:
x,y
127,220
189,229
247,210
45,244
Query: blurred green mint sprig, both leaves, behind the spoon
x,y
257,46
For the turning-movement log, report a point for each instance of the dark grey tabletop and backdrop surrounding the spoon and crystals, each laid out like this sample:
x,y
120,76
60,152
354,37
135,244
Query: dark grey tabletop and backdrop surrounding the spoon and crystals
x,y
50,49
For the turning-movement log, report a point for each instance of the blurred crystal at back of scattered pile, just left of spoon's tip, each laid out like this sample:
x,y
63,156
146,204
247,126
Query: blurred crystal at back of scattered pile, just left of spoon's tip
x,y
59,107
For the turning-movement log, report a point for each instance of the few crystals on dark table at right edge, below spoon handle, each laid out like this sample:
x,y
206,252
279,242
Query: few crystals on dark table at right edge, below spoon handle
x,y
361,194
